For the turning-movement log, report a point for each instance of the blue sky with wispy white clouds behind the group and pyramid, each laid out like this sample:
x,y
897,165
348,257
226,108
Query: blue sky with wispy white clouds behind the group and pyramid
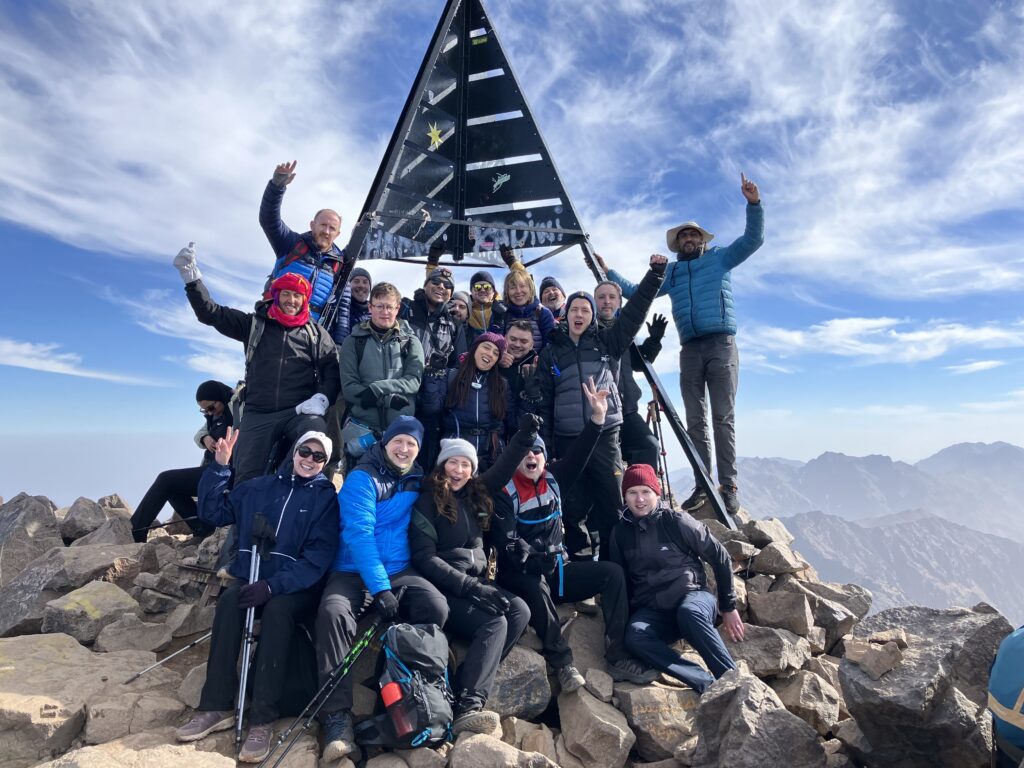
x,y
881,316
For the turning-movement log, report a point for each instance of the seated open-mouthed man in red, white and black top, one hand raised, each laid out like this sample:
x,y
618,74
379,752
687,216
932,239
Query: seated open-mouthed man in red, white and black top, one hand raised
x,y
527,532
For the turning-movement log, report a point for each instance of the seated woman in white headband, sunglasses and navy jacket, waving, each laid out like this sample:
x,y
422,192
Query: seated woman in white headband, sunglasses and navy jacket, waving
x,y
301,504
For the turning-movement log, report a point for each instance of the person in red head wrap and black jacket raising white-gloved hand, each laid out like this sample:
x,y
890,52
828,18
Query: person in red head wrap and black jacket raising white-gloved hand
x,y
291,363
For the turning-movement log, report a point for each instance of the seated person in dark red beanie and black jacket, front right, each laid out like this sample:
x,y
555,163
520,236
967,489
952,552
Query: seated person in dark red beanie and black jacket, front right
x,y
663,553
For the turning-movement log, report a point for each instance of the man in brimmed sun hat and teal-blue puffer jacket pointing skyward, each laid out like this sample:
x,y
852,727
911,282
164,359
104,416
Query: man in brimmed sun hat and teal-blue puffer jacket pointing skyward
x,y
700,285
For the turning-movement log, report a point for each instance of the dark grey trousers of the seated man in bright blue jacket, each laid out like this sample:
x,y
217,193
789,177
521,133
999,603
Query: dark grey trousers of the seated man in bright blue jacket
x,y
346,601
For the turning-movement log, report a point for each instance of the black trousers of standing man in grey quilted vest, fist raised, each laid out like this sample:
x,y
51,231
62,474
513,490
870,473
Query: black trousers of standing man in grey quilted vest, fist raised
x,y
596,499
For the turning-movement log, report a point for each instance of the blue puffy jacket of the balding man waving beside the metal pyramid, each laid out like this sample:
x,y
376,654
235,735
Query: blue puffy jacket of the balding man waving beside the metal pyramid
x,y
297,253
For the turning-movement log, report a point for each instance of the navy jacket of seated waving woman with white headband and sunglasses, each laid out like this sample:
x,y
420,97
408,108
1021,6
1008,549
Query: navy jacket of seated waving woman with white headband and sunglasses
x,y
305,515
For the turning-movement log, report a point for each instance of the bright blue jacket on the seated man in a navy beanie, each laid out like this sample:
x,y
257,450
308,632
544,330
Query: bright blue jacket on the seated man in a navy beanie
x,y
376,507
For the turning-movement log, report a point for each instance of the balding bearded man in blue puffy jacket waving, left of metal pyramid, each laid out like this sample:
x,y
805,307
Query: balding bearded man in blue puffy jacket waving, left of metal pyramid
x,y
312,254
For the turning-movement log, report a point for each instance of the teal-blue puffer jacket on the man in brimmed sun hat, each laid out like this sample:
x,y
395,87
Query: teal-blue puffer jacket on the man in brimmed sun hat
x,y
702,289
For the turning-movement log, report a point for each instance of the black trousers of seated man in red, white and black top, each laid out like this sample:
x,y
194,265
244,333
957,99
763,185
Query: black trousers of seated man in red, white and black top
x,y
580,581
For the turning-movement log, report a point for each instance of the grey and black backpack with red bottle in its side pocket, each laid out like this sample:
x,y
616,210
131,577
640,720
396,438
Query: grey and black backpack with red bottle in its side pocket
x,y
415,690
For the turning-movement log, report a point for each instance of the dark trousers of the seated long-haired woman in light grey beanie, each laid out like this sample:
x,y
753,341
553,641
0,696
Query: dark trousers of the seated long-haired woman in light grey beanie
x,y
491,639
